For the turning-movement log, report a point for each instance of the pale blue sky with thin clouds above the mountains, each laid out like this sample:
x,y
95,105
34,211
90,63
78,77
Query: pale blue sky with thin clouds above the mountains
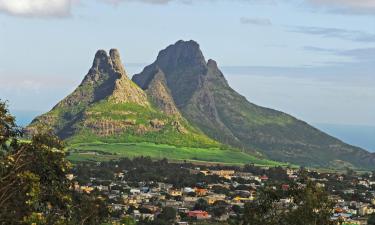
x,y
311,58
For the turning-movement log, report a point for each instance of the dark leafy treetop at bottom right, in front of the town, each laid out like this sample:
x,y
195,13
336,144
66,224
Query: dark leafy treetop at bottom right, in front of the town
x,y
309,205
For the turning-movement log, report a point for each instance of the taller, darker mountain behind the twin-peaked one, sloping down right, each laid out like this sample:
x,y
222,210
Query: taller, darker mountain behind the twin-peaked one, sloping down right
x,y
203,96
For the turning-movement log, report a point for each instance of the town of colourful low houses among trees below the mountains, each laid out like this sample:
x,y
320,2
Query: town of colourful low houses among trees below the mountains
x,y
141,190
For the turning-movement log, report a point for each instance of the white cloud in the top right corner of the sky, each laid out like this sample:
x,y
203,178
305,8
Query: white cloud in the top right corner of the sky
x,y
346,6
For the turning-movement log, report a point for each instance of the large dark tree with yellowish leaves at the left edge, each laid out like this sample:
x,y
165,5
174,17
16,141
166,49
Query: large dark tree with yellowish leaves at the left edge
x,y
33,184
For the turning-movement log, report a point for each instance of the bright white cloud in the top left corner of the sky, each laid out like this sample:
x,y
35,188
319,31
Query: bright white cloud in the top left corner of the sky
x,y
36,8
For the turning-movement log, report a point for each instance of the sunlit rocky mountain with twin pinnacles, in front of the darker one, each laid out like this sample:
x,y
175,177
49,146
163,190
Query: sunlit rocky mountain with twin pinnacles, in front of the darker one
x,y
107,106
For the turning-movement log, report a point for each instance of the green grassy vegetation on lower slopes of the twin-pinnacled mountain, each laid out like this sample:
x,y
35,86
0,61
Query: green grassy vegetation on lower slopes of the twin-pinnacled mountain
x,y
139,117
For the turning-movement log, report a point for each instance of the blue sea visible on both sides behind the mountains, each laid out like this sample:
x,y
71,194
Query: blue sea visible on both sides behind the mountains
x,y
358,135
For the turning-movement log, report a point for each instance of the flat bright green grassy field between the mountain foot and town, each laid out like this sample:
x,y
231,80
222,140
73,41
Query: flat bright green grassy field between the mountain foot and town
x,y
106,151
